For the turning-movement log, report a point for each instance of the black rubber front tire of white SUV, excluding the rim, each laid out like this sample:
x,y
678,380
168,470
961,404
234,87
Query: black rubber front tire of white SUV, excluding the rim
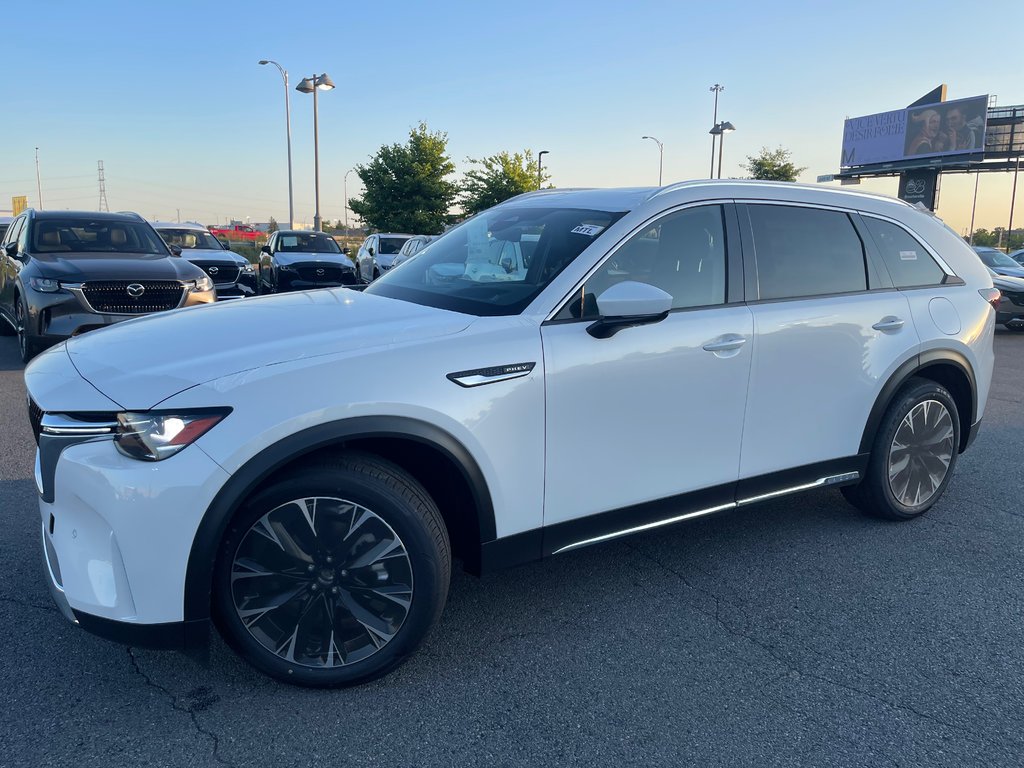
x,y
430,576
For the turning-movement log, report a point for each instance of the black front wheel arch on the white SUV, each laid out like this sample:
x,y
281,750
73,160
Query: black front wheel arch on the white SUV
x,y
432,455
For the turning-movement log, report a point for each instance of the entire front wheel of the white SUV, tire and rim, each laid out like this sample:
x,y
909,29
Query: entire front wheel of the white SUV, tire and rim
x,y
344,610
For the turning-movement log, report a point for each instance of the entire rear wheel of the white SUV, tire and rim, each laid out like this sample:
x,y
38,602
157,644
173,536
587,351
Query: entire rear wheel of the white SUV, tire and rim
x,y
914,455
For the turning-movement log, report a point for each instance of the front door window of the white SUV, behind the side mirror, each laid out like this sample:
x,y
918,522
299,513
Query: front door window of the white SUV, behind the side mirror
x,y
684,254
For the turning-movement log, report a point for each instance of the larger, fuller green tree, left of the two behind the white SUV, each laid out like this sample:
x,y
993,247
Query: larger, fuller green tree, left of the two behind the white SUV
x,y
406,188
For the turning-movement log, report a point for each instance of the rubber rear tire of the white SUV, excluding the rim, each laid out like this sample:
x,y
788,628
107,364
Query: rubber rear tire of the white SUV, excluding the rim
x,y
912,397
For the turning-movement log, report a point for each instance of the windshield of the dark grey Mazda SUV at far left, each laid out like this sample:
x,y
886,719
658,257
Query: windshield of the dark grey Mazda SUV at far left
x,y
95,236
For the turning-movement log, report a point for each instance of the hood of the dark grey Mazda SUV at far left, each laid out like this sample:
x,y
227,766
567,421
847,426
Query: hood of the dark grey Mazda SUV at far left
x,y
79,268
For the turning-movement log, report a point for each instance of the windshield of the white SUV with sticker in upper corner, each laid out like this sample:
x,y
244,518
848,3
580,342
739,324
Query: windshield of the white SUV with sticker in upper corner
x,y
497,263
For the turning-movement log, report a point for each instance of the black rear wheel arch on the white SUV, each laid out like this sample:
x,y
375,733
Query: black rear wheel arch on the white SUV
x,y
947,367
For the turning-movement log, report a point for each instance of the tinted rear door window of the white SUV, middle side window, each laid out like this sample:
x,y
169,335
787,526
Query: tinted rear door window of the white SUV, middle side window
x,y
806,252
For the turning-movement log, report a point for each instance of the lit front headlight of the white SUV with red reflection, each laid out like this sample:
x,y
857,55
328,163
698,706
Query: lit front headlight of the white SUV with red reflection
x,y
155,437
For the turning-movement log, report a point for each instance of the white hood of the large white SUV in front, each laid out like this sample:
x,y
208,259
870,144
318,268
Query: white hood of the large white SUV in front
x,y
142,362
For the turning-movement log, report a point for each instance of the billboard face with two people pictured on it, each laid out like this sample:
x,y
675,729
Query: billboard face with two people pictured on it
x,y
924,132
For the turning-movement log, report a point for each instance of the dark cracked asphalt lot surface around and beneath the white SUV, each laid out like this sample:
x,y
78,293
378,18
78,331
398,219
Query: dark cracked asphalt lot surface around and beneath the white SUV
x,y
793,633
